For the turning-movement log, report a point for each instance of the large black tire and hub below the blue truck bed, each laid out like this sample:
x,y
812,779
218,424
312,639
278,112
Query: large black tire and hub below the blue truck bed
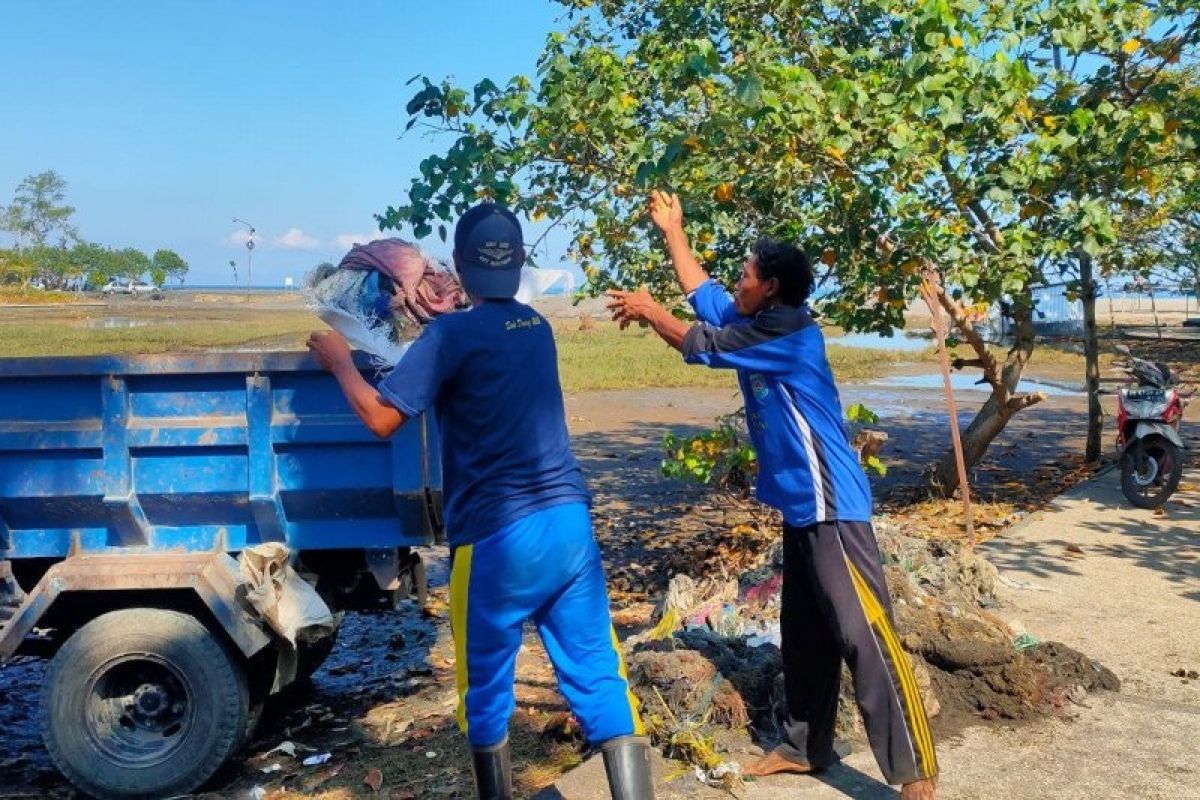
x,y
143,703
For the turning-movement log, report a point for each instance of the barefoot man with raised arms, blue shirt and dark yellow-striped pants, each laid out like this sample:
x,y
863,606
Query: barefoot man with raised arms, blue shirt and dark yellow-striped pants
x,y
836,604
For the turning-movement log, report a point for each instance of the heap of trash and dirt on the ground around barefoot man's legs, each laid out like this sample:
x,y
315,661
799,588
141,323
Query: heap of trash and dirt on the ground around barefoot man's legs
x,y
712,660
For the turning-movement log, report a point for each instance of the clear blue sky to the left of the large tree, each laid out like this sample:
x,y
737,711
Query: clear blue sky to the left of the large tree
x,y
169,119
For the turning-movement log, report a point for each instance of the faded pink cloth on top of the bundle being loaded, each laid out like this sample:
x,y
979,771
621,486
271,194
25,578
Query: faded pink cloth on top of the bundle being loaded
x,y
423,291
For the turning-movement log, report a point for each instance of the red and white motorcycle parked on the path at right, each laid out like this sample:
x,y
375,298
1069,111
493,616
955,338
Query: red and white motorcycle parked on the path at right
x,y
1149,414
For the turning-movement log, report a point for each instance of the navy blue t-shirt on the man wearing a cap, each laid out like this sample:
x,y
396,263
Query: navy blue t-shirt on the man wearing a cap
x,y
491,377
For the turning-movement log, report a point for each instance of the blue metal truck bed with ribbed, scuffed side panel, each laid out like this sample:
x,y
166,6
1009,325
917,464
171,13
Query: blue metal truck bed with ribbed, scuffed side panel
x,y
202,453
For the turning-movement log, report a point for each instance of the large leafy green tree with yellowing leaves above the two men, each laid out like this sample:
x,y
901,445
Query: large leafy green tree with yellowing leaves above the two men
x,y
992,141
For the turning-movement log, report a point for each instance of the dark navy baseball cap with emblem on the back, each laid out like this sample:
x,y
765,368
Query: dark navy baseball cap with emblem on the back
x,y
490,251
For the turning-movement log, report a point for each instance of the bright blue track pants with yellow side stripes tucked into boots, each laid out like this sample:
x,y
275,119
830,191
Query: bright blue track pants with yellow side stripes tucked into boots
x,y
544,568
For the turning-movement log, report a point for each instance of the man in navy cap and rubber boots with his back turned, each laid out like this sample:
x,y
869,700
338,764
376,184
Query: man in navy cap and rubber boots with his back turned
x,y
517,509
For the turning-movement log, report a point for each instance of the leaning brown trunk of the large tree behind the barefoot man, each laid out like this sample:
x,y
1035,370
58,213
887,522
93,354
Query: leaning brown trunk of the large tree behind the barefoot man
x,y
1000,408
